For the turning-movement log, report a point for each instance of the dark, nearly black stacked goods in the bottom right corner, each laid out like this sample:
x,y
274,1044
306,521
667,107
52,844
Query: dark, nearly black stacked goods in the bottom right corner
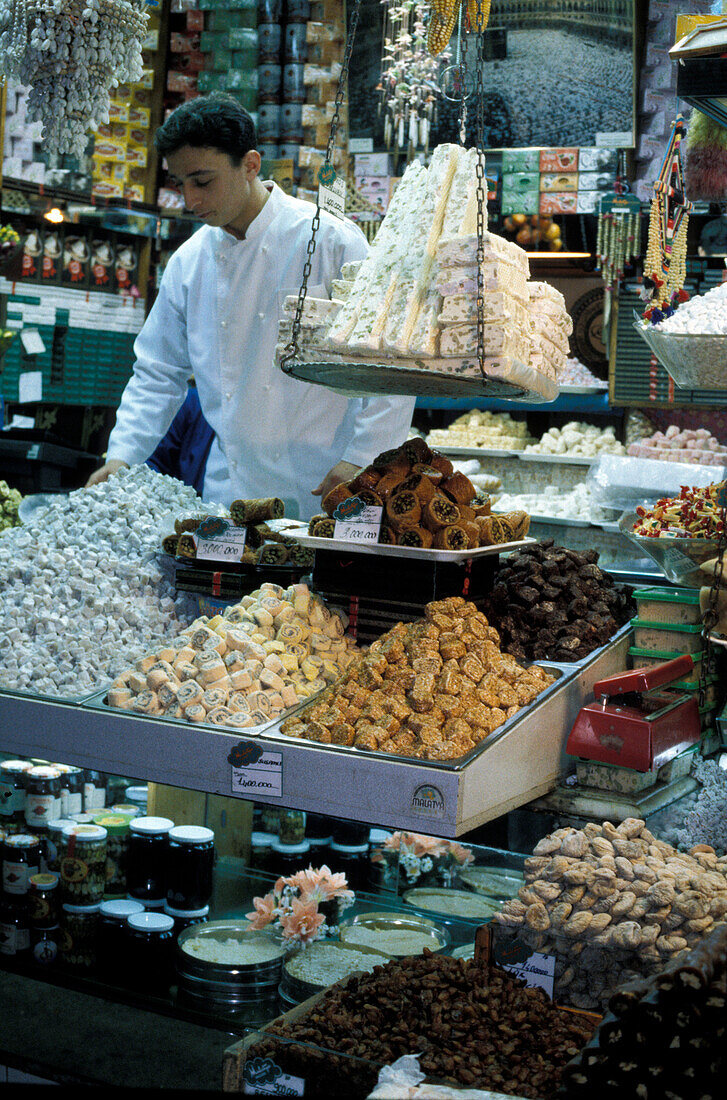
x,y
668,1028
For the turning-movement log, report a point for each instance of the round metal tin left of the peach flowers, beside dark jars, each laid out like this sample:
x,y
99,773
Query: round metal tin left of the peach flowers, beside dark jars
x,y
228,984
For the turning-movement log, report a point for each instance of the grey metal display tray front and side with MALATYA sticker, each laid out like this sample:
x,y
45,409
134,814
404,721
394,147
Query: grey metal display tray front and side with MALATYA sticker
x,y
522,762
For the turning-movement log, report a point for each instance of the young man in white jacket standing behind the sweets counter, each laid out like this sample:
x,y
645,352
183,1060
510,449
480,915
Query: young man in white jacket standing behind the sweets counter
x,y
216,317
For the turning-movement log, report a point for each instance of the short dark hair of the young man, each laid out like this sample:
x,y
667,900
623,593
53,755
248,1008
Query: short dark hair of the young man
x,y
215,122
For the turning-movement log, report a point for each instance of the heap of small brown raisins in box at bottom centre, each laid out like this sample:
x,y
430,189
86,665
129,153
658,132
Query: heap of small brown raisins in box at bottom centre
x,y
469,1025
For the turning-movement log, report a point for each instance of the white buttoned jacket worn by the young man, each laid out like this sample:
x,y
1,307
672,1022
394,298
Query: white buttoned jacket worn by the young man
x,y
216,317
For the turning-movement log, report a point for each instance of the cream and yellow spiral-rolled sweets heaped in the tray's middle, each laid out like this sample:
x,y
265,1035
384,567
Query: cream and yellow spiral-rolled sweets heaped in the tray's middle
x,y
245,667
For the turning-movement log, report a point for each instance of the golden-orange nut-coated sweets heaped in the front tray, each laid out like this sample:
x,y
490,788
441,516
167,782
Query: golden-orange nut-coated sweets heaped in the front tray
x,y
433,689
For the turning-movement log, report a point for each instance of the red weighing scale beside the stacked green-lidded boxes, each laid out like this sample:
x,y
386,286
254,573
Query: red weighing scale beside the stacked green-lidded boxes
x,y
635,725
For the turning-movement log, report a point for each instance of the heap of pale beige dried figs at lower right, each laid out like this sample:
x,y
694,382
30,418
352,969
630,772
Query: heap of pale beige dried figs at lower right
x,y
612,904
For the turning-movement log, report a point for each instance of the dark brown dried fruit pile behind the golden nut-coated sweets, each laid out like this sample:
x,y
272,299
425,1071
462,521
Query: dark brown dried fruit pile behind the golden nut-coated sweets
x,y
550,602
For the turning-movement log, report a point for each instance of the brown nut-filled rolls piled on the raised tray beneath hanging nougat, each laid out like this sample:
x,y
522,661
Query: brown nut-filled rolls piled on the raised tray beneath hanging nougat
x,y
426,503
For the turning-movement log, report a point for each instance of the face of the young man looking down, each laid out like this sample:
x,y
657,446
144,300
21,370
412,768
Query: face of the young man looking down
x,y
215,191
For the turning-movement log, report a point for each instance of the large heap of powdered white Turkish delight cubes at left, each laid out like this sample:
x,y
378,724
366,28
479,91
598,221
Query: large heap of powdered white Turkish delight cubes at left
x,y
82,595
